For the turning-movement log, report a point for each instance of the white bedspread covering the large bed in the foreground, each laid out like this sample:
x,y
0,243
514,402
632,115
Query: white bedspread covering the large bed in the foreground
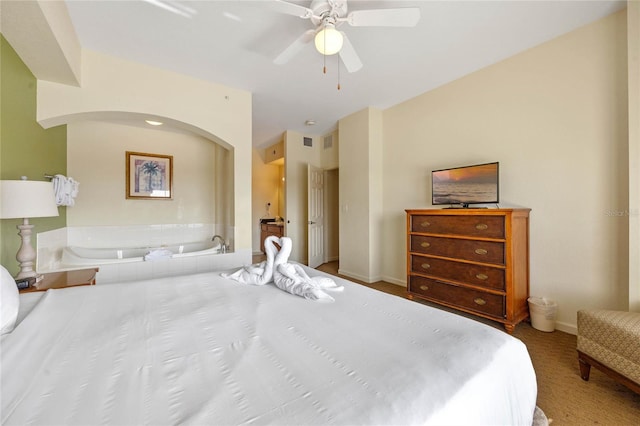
x,y
202,349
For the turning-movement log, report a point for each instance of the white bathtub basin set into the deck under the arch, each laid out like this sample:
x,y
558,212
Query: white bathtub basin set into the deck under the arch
x,y
75,256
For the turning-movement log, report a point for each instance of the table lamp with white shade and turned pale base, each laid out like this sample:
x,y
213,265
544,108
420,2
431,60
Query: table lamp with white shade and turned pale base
x,y
24,199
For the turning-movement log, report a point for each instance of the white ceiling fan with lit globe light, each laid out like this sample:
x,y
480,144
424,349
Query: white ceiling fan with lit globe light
x,y
328,15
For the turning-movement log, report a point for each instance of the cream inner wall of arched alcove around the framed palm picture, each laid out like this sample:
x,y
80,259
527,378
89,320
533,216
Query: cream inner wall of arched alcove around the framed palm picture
x,y
202,201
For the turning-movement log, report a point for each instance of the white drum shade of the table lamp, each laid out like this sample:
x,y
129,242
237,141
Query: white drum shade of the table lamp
x,y
27,199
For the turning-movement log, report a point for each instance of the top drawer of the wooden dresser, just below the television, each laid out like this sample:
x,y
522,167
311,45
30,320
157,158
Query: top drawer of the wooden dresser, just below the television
x,y
470,226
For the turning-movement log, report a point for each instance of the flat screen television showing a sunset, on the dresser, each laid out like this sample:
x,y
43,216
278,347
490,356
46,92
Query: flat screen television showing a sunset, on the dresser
x,y
477,184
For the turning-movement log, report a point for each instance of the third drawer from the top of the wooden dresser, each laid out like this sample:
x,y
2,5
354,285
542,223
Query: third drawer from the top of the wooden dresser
x,y
479,275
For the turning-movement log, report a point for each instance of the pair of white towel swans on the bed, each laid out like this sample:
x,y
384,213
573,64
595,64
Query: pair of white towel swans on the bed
x,y
287,276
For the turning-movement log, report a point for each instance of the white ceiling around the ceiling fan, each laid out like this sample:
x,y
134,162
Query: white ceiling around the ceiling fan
x,y
234,43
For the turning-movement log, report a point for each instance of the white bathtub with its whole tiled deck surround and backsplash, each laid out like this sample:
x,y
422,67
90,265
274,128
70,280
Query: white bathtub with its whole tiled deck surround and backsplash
x,y
119,251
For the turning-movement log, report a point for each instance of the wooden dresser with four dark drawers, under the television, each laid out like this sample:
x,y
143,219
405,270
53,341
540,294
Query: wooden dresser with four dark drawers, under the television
x,y
473,260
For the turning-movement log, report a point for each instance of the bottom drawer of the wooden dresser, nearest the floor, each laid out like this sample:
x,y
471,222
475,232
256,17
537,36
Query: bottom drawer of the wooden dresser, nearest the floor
x,y
469,299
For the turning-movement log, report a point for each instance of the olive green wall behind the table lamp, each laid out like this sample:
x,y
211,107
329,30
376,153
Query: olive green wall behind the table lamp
x,y
26,149
